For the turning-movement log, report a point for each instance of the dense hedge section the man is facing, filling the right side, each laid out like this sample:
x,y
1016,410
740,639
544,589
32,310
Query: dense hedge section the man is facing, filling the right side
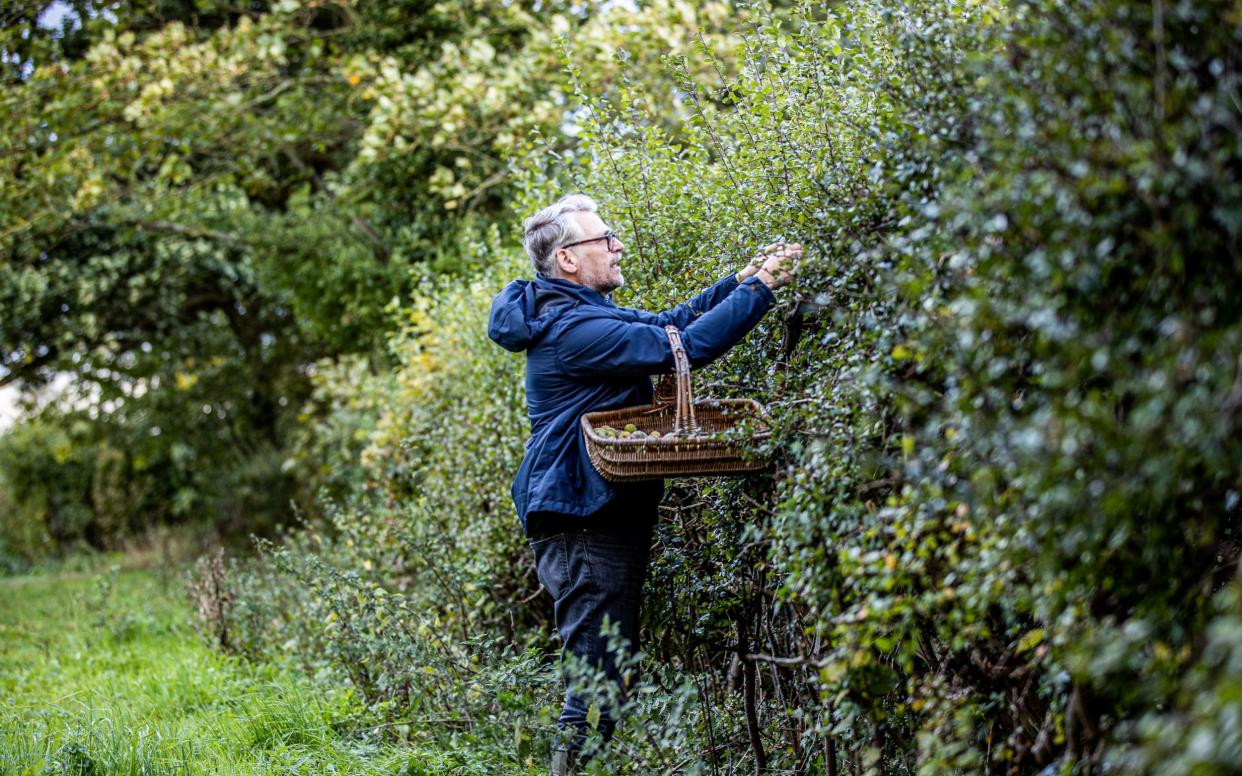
x,y
1010,477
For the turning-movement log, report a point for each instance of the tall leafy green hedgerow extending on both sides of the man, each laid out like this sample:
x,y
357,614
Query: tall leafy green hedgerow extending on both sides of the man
x,y
1002,532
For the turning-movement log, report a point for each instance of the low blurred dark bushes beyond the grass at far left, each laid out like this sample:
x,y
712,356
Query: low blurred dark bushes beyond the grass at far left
x,y
76,484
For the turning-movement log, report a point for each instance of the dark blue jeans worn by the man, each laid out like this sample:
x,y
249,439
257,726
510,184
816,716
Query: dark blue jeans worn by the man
x,y
593,574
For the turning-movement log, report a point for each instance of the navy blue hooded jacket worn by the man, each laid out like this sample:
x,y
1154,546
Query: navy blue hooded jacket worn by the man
x,y
586,354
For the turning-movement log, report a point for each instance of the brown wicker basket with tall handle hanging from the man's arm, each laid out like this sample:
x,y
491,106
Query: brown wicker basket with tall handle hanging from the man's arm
x,y
694,451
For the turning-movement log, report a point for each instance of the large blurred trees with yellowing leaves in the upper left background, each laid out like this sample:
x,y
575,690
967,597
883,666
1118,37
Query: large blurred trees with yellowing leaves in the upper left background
x,y
204,199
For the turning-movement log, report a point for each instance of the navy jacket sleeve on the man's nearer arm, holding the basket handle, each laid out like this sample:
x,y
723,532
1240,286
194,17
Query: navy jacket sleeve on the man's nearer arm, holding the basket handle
x,y
605,347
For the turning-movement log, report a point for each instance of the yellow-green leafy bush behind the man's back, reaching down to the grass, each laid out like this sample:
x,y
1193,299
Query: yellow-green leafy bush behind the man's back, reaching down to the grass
x,y
410,585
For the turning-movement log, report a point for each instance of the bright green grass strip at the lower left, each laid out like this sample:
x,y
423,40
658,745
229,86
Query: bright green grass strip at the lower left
x,y
101,674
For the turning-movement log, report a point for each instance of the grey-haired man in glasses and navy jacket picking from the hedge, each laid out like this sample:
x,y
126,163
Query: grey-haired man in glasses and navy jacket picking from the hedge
x,y
591,538
